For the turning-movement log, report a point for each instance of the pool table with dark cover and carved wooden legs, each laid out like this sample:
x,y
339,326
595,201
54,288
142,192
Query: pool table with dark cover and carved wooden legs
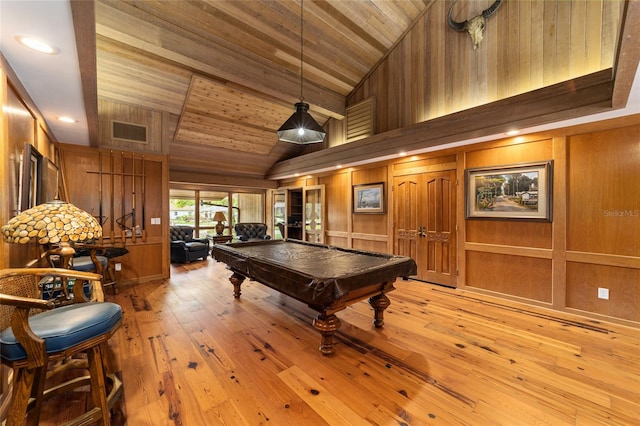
x,y
326,278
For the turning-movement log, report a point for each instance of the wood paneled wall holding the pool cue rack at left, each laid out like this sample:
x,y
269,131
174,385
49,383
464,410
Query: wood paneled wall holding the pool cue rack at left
x,y
117,184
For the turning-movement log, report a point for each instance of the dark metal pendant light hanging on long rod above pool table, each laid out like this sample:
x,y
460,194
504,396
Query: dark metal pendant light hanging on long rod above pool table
x,y
301,128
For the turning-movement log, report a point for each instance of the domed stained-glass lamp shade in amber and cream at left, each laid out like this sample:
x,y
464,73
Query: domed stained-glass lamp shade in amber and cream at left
x,y
51,223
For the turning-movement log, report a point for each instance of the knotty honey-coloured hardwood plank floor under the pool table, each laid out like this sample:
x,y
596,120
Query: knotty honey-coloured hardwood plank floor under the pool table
x,y
190,354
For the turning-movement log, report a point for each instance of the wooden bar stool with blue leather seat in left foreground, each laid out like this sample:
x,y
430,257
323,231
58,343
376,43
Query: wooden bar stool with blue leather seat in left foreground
x,y
36,333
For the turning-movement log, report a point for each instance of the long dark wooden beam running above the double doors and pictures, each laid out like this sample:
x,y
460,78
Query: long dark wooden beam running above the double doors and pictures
x,y
571,99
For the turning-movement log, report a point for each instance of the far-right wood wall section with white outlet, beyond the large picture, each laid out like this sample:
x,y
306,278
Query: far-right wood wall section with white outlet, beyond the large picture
x,y
603,222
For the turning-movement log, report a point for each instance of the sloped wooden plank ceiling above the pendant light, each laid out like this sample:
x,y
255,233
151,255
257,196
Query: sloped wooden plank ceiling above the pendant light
x,y
227,73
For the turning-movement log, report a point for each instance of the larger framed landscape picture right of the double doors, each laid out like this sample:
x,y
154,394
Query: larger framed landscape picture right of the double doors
x,y
520,192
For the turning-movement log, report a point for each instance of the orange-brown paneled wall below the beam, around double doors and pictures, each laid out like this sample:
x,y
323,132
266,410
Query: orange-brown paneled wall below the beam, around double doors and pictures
x,y
592,242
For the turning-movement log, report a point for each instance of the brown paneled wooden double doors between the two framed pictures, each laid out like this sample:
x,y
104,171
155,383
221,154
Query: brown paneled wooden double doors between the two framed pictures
x,y
425,224
